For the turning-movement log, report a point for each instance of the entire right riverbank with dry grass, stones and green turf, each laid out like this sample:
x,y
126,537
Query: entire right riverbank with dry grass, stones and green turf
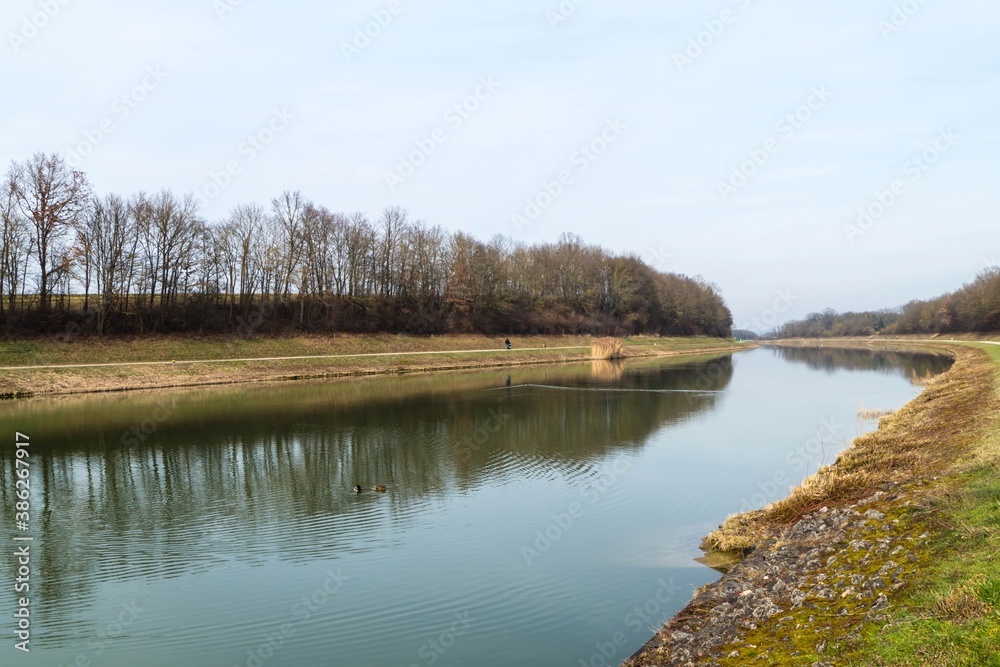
x,y
884,558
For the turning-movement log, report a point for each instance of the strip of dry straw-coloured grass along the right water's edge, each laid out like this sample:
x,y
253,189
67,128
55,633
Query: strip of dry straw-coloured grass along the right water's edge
x,y
927,437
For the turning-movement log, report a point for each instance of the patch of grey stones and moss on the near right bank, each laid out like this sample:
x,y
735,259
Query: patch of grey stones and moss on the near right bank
x,y
810,586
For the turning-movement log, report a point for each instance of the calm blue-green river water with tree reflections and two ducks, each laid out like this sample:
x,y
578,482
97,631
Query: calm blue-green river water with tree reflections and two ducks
x,y
543,516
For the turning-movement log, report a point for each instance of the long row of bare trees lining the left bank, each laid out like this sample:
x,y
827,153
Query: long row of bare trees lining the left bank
x,y
141,263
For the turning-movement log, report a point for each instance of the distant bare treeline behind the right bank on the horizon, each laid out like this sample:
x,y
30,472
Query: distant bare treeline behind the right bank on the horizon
x,y
974,308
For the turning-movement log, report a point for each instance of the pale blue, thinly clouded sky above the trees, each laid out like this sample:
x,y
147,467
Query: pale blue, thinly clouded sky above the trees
x,y
798,155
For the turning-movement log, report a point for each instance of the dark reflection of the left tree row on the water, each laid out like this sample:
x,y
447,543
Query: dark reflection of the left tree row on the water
x,y
175,483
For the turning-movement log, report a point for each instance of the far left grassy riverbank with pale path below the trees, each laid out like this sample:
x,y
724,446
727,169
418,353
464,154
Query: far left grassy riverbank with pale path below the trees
x,y
85,365
